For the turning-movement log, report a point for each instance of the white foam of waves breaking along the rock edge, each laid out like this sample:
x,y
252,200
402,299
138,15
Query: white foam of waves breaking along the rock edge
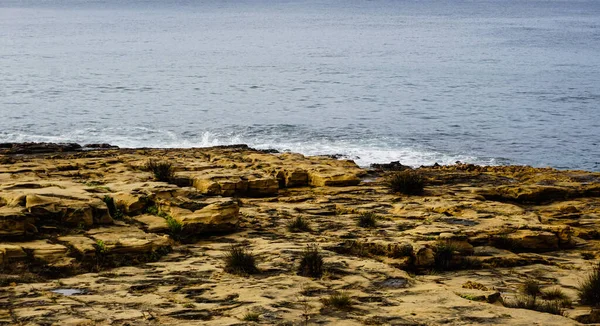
x,y
363,154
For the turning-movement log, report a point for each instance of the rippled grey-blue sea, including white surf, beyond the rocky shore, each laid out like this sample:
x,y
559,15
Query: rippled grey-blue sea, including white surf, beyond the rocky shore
x,y
482,81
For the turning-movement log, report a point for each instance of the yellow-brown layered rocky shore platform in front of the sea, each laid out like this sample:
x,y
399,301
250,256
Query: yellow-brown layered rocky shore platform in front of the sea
x,y
89,236
